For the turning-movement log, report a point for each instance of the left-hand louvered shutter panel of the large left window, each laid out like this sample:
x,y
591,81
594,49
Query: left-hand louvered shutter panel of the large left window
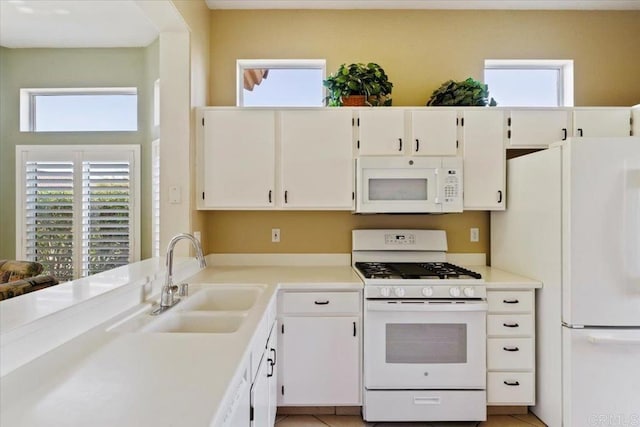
x,y
49,216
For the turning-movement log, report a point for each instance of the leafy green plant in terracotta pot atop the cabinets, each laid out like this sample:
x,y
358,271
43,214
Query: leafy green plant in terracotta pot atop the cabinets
x,y
368,82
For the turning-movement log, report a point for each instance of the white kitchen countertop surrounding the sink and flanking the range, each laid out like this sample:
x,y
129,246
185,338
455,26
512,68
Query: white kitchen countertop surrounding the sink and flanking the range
x,y
121,378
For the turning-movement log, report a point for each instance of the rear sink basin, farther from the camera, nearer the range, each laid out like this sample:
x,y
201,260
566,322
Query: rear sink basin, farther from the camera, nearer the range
x,y
226,298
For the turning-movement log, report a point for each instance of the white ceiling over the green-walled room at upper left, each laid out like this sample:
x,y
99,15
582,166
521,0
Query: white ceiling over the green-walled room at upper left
x,y
74,23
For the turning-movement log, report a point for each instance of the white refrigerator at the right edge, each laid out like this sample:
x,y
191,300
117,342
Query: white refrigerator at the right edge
x,y
573,222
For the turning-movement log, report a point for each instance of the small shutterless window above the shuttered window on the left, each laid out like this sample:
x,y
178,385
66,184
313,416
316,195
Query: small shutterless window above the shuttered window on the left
x,y
78,109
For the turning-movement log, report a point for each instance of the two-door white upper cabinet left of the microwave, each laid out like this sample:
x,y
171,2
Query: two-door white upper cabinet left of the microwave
x,y
239,169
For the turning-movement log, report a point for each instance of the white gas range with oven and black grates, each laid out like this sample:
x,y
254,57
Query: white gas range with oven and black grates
x,y
424,329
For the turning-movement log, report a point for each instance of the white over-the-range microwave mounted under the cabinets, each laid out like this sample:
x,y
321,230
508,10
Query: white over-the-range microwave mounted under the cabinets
x,y
408,184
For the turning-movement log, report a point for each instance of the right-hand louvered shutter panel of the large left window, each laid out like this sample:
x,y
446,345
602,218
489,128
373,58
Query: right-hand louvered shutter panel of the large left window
x,y
106,214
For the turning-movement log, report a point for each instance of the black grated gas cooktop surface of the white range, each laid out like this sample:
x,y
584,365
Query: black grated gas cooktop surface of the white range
x,y
414,270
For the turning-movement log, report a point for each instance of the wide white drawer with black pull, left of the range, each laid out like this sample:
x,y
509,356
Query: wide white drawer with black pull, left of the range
x,y
321,302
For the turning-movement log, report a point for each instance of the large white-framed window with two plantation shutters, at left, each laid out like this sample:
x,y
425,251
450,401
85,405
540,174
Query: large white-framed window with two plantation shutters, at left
x,y
77,207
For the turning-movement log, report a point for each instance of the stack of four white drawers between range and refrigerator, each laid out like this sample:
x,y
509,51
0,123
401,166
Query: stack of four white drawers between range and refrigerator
x,y
511,347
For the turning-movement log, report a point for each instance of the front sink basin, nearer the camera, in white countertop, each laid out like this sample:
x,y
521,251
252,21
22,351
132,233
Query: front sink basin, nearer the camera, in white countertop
x,y
202,323
